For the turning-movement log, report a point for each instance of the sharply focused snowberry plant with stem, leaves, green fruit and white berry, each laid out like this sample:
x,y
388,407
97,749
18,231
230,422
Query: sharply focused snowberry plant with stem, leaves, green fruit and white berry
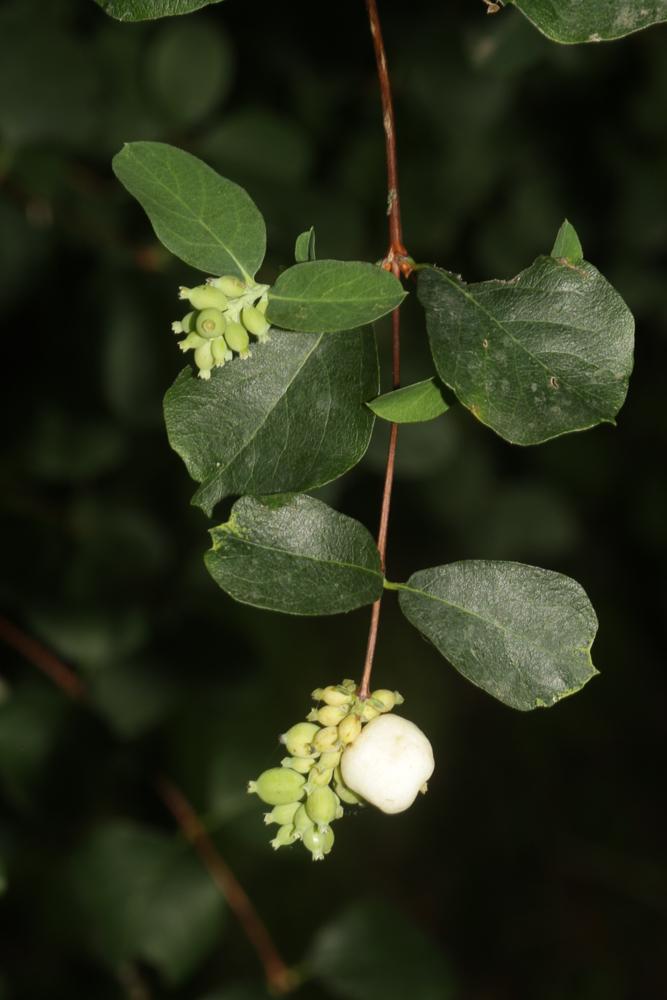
x,y
280,396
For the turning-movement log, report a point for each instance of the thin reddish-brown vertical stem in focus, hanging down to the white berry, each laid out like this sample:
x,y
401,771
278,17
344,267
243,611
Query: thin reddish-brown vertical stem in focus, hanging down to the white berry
x,y
397,261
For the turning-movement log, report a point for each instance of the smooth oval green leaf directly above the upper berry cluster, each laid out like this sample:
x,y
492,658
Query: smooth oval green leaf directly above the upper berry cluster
x,y
201,217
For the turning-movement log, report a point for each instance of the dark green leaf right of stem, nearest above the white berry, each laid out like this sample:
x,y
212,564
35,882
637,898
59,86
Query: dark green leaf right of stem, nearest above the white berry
x,y
521,633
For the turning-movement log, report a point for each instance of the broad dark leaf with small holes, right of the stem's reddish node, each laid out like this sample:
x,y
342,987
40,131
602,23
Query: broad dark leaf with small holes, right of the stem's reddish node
x,y
544,354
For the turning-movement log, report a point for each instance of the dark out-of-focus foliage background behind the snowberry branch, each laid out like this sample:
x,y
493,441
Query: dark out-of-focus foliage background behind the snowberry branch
x,y
536,866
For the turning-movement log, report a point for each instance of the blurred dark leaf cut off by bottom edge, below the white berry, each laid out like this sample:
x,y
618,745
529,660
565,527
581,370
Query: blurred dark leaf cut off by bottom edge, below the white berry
x,y
372,951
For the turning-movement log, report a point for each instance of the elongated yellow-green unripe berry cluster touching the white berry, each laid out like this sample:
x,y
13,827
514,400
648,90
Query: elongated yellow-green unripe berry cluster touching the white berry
x,y
304,802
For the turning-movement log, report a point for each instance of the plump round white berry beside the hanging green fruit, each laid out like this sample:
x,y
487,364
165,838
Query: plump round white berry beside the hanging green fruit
x,y
389,763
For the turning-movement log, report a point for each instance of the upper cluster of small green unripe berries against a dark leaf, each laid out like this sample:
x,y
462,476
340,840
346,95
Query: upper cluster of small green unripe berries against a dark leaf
x,y
225,311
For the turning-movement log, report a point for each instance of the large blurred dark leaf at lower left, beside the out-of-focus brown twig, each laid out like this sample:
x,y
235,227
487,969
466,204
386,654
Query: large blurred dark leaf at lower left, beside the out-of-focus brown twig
x,y
139,893
